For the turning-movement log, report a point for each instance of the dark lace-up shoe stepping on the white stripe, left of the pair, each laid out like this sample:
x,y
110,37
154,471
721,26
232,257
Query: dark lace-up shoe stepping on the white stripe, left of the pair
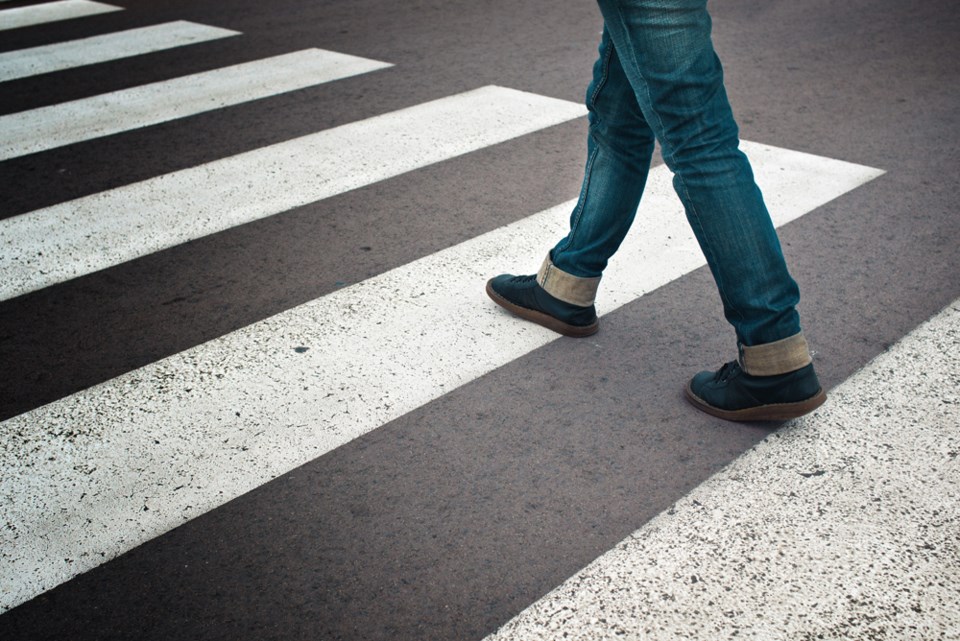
x,y
523,296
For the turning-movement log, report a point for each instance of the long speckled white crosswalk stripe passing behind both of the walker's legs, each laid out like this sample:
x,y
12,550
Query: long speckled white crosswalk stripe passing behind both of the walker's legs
x,y
185,434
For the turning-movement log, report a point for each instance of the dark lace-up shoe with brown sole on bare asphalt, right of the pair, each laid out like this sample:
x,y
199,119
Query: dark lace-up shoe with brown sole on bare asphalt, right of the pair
x,y
732,394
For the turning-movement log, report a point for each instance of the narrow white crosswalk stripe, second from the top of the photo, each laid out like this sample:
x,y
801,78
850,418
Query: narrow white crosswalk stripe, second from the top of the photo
x,y
87,51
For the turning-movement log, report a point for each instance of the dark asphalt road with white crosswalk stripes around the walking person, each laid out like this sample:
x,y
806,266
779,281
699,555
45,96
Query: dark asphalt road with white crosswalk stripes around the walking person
x,y
253,389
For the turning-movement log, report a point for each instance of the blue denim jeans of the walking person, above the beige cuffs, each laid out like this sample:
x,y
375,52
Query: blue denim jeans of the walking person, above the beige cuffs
x,y
658,78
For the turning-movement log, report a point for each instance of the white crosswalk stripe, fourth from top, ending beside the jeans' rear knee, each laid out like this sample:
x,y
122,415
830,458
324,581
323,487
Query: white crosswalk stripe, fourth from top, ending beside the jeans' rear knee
x,y
78,237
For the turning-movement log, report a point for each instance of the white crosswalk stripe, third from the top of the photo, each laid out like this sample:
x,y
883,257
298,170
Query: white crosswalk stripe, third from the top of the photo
x,y
63,124
